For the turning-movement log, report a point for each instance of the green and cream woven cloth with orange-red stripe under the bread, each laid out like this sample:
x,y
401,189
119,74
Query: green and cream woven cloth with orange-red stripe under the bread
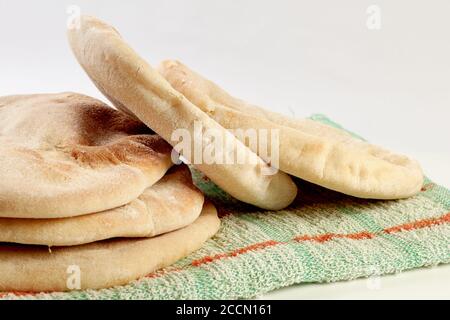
x,y
325,236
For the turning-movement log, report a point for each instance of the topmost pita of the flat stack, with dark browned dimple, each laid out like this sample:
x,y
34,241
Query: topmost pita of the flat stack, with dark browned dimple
x,y
68,154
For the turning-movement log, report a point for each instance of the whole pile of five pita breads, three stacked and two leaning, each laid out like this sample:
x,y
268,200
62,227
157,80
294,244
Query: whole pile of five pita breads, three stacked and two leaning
x,y
99,187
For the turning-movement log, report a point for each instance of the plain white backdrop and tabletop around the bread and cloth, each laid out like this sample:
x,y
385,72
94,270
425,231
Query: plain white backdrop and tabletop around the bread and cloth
x,y
391,85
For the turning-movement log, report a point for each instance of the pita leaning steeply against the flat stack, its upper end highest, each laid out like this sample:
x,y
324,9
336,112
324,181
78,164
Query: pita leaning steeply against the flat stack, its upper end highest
x,y
135,87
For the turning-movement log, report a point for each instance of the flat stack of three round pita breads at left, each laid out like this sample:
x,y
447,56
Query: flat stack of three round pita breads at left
x,y
87,189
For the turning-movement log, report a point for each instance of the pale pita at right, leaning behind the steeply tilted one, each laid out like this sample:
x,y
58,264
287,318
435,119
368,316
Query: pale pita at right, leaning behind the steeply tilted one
x,y
309,150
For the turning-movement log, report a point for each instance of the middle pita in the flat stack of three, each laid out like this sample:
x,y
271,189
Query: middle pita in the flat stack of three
x,y
172,203
